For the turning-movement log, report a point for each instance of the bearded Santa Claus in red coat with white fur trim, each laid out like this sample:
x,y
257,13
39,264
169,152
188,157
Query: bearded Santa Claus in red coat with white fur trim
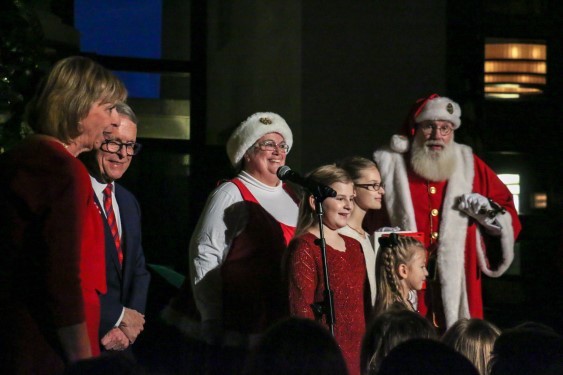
x,y
439,187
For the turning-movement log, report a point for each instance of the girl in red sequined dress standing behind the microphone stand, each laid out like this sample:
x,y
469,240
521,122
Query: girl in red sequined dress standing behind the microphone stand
x,y
345,263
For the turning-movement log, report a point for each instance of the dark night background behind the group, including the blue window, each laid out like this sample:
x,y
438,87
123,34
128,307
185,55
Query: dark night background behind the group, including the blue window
x,y
343,73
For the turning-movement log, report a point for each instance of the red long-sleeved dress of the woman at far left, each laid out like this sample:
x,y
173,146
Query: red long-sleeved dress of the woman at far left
x,y
53,255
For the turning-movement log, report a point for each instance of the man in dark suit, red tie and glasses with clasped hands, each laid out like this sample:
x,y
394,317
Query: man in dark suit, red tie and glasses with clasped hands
x,y
123,306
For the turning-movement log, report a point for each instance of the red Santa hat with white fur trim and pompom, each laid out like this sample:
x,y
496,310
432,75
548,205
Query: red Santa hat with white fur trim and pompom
x,y
432,107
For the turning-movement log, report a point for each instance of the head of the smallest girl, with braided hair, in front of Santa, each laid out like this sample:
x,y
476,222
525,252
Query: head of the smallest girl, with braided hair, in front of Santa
x,y
400,271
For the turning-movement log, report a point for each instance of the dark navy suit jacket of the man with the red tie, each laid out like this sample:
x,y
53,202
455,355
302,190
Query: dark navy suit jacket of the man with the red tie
x,y
127,286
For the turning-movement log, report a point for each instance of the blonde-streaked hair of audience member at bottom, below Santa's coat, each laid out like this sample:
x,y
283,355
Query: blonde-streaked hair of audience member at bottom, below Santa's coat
x,y
474,338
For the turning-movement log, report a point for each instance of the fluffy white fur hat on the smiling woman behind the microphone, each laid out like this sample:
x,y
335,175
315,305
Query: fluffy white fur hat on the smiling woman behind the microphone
x,y
252,129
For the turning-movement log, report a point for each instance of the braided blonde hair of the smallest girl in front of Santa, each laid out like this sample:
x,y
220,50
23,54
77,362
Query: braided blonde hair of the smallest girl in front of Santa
x,y
395,250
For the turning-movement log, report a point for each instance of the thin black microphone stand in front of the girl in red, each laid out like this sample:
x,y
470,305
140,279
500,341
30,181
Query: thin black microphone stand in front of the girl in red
x,y
325,307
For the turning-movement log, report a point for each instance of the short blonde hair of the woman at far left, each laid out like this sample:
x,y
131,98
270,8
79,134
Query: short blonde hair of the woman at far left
x,y
66,95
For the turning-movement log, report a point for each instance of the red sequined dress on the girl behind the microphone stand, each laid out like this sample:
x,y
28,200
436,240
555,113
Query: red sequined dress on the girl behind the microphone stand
x,y
348,280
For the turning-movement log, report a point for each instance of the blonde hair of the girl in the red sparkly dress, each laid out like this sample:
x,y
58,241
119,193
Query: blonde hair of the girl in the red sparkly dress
x,y
326,175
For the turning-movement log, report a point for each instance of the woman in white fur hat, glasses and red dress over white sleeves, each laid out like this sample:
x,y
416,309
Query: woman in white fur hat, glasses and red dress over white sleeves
x,y
236,249
